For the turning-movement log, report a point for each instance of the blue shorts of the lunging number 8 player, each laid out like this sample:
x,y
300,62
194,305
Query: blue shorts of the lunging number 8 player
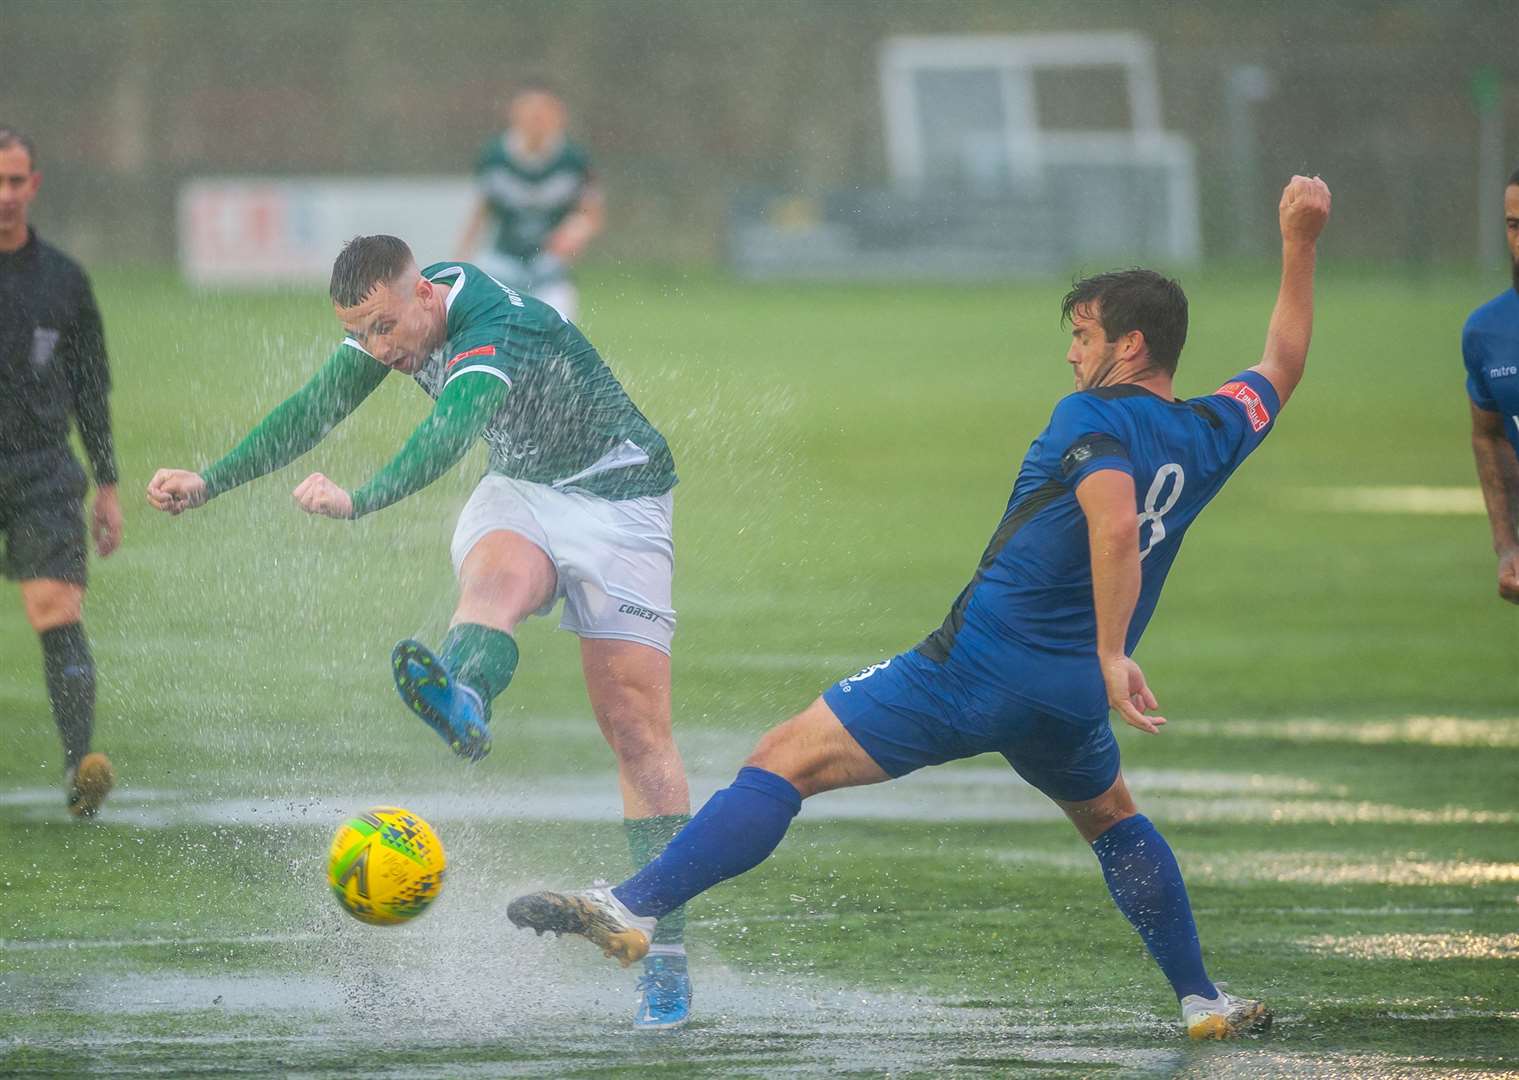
x,y
908,713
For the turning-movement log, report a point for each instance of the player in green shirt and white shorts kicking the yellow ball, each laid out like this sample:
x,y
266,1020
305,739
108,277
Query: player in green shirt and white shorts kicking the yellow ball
x,y
576,505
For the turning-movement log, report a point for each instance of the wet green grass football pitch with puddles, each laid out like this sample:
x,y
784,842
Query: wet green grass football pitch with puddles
x,y
1339,777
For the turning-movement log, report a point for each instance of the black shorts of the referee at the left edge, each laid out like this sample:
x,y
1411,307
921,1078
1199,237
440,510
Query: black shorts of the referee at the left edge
x,y
43,516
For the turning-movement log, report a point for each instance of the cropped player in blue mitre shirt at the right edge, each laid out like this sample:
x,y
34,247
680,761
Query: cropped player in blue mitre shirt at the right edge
x,y
1491,350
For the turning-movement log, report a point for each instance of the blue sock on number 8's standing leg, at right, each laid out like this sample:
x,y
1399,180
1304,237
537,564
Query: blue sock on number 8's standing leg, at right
x,y
1146,883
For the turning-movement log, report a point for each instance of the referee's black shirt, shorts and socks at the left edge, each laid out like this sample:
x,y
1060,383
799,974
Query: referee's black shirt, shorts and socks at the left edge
x,y
52,371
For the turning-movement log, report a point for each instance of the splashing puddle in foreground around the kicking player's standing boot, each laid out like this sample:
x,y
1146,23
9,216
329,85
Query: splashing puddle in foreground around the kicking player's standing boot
x,y
482,1015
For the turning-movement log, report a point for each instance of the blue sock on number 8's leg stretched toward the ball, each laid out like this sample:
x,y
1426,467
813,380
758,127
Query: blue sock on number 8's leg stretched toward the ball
x,y
733,833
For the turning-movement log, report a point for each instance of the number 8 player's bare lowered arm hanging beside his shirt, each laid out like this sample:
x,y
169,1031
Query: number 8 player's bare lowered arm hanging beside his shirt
x,y
1113,531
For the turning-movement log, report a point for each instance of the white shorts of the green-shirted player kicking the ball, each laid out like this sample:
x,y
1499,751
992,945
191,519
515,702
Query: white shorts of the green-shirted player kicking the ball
x,y
614,560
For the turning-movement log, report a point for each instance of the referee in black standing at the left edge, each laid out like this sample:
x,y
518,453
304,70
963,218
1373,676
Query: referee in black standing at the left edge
x,y
54,368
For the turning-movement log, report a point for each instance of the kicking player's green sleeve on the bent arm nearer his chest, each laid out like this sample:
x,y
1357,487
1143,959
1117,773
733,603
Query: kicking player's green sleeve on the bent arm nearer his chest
x,y
466,408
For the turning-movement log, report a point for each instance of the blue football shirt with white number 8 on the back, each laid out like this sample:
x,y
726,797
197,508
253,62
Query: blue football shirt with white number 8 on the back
x,y
1025,630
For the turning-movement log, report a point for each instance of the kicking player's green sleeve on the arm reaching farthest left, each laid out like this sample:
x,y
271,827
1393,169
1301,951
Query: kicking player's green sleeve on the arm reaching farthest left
x,y
300,422
